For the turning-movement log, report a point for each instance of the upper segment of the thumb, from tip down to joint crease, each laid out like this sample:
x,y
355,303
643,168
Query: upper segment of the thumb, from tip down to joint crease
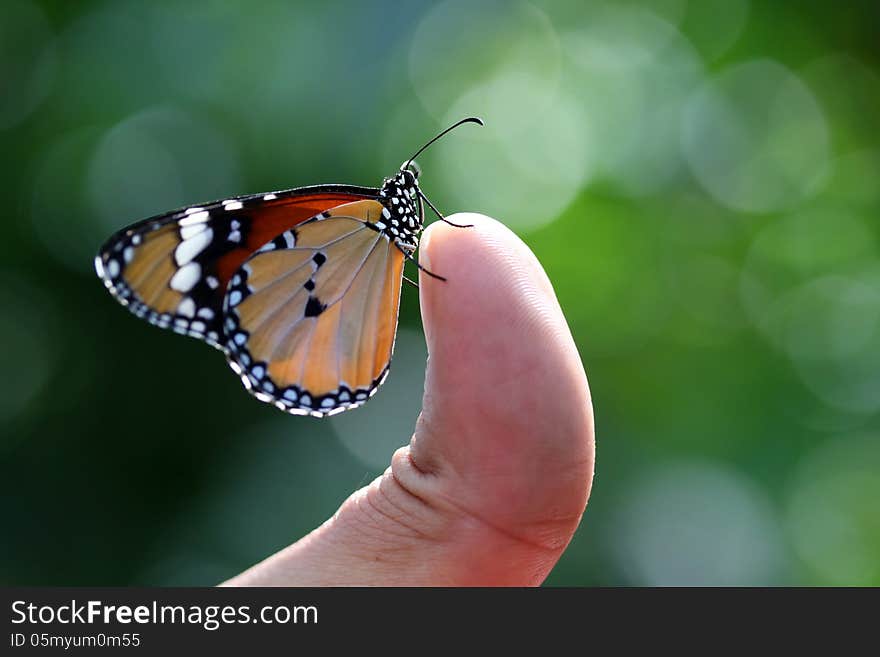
x,y
506,430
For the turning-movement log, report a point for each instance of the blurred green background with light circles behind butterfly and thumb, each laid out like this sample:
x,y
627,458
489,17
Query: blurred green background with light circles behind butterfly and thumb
x,y
700,178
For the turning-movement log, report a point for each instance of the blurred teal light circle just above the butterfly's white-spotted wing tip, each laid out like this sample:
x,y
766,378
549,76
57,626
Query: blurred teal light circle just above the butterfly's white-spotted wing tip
x,y
157,160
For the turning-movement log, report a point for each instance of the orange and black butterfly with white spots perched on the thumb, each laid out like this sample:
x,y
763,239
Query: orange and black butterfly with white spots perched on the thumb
x,y
299,289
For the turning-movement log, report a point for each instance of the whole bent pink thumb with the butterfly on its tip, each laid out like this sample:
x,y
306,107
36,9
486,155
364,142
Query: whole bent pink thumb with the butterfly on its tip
x,y
498,471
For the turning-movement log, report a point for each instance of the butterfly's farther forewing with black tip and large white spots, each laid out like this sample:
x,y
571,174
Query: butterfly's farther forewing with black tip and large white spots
x,y
173,269
